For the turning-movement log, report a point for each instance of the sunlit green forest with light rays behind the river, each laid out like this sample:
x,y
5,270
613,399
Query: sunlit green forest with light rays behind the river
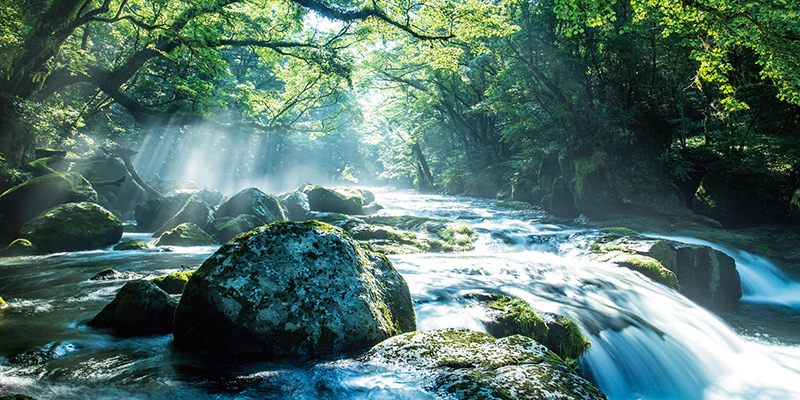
x,y
652,106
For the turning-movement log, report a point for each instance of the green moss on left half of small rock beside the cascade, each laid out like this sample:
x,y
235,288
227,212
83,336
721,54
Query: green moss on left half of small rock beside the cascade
x,y
519,318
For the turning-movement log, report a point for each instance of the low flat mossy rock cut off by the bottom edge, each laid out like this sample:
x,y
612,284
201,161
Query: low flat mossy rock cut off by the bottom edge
x,y
472,365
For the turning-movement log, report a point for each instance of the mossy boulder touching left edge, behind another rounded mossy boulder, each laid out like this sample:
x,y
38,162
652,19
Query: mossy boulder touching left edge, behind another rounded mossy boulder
x,y
25,201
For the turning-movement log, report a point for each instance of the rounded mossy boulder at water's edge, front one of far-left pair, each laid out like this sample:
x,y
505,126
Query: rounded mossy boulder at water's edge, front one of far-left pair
x,y
73,227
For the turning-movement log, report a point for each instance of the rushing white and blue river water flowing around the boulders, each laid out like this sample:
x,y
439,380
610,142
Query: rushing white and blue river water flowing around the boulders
x,y
648,342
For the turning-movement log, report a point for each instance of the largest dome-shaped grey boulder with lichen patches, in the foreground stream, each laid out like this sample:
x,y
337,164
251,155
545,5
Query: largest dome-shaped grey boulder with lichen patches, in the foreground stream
x,y
291,289
